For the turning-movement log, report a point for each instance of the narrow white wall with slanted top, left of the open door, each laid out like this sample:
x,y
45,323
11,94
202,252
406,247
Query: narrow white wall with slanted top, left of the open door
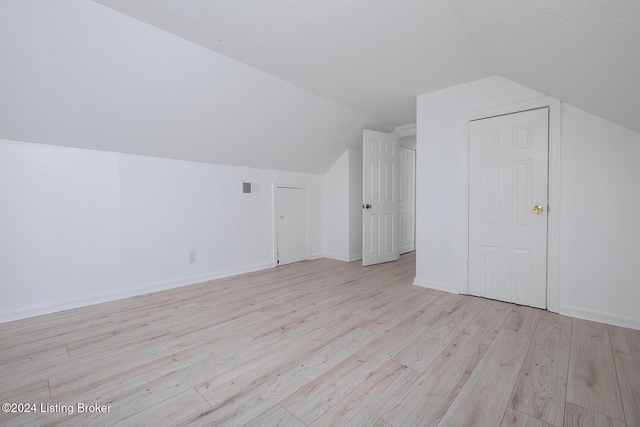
x,y
336,215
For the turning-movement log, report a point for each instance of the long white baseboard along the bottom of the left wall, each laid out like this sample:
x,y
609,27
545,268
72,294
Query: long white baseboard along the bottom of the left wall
x,y
27,312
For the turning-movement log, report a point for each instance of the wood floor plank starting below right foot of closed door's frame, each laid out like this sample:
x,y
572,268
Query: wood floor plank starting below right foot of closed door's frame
x,y
541,387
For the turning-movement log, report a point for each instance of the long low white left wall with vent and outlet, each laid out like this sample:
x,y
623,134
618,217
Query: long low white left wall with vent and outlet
x,y
82,226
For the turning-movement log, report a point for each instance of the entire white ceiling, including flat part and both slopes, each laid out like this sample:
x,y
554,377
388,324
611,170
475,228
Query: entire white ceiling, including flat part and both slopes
x,y
305,75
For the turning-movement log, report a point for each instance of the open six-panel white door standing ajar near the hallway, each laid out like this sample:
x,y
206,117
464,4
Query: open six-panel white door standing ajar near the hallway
x,y
380,198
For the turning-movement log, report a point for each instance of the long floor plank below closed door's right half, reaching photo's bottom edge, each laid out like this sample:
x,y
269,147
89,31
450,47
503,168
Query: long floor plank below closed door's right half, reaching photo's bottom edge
x,y
484,397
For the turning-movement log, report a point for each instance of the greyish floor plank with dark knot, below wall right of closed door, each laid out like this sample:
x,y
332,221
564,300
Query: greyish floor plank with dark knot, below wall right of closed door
x,y
592,381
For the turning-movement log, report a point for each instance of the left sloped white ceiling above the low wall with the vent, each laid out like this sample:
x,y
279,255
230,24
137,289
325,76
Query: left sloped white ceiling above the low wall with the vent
x,y
76,73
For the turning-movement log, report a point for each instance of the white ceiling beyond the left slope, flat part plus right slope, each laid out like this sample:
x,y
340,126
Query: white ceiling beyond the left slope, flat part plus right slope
x,y
375,56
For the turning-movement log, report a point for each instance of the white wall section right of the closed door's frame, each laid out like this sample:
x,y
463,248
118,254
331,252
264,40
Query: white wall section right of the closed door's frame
x,y
600,232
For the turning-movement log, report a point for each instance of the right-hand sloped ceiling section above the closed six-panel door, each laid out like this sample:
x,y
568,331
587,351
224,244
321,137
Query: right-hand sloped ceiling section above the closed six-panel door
x,y
584,52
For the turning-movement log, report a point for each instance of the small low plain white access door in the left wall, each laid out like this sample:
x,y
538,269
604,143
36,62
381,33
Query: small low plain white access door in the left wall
x,y
291,211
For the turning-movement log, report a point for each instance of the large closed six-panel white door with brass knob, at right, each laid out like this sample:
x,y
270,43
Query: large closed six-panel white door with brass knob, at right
x,y
508,175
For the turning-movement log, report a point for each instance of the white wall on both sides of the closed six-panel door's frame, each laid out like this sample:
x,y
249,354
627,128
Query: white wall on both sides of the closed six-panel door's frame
x,y
598,250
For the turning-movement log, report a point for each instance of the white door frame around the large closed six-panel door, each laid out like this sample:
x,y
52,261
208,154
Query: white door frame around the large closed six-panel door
x,y
553,224
